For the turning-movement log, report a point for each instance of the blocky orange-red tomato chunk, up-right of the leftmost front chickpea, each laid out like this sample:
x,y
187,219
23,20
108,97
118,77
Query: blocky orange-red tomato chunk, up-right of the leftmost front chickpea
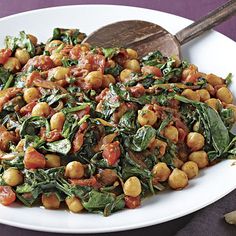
x,y
33,159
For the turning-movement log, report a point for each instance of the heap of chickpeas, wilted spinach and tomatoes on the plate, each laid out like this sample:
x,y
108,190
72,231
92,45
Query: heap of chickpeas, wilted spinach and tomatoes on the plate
x,y
100,128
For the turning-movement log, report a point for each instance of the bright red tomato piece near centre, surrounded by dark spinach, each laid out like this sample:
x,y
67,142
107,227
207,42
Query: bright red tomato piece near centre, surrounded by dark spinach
x,y
111,152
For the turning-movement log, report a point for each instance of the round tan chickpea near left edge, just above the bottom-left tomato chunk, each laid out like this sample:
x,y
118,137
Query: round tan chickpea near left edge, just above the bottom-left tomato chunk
x,y
12,177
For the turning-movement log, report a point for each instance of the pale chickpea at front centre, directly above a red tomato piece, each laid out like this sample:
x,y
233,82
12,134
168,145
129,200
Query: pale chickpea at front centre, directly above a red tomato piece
x,y
132,187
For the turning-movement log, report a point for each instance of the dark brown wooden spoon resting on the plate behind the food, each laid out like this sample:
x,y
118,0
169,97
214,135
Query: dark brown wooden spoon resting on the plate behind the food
x,y
147,37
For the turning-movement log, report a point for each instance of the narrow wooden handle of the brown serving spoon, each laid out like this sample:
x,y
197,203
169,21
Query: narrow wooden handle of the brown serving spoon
x,y
207,22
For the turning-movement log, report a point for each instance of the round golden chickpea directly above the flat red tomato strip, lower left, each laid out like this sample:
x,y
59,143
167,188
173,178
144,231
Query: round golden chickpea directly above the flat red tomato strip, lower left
x,y
74,170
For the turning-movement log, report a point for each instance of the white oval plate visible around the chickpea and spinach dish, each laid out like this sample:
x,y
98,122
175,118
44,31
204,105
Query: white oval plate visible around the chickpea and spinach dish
x,y
212,53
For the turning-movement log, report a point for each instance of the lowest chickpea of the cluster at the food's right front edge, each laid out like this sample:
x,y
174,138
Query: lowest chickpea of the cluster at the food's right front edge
x,y
178,179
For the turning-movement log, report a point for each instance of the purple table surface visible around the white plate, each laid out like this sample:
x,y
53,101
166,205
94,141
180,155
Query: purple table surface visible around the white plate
x,y
208,221
